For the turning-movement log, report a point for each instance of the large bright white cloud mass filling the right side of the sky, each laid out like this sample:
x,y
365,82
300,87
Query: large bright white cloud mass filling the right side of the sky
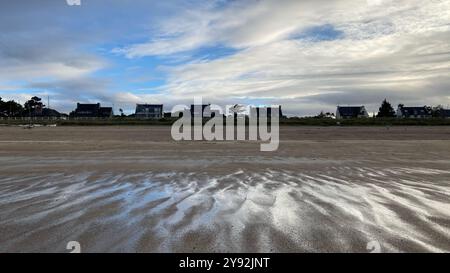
x,y
389,48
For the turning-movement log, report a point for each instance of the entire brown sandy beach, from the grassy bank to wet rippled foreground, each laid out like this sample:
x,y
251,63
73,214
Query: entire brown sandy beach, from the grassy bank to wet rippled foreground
x,y
133,189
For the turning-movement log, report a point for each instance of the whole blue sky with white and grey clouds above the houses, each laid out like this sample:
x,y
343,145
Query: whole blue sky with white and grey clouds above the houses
x,y
307,56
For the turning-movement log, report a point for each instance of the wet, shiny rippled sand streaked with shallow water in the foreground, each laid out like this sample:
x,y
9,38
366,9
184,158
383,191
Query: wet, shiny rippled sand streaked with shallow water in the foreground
x,y
336,209
